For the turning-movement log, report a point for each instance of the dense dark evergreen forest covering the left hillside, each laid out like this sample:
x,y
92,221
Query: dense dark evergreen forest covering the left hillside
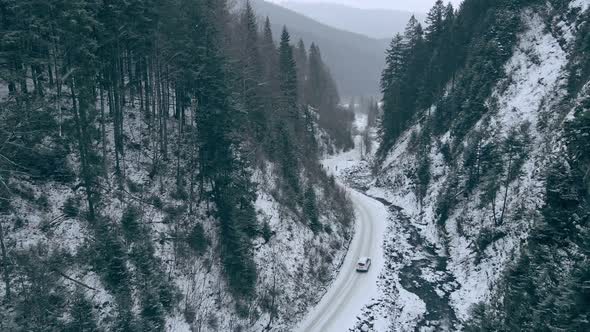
x,y
214,100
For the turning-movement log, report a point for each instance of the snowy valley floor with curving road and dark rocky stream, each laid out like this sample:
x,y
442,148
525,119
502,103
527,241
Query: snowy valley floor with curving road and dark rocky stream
x,y
409,286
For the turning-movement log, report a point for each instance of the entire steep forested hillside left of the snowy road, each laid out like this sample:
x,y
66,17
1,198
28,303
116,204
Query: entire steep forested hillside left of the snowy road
x,y
159,170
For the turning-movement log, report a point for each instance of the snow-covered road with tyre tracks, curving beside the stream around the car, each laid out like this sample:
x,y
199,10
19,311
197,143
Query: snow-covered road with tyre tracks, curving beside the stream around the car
x,y
351,291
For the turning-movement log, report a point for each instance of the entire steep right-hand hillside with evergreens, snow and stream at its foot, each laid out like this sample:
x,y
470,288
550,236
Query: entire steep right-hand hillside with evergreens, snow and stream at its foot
x,y
484,164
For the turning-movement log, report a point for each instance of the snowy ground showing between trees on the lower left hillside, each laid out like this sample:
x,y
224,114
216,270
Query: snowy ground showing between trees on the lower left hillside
x,y
294,265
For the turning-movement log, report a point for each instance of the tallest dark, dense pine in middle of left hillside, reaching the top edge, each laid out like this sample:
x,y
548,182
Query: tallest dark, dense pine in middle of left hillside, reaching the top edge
x,y
222,163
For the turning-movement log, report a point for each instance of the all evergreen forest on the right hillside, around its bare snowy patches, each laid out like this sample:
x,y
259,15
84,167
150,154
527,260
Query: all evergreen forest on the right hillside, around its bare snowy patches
x,y
439,81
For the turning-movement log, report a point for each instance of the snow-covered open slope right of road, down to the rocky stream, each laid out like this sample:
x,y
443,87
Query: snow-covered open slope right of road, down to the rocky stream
x,y
439,266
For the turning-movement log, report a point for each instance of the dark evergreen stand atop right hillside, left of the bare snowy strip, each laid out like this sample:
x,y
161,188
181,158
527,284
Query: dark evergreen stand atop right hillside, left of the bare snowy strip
x,y
450,49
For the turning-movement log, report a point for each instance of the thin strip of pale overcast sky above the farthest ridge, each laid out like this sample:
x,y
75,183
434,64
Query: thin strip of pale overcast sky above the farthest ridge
x,y
408,5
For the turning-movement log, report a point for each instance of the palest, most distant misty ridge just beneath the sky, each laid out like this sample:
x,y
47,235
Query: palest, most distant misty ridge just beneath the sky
x,y
375,23
